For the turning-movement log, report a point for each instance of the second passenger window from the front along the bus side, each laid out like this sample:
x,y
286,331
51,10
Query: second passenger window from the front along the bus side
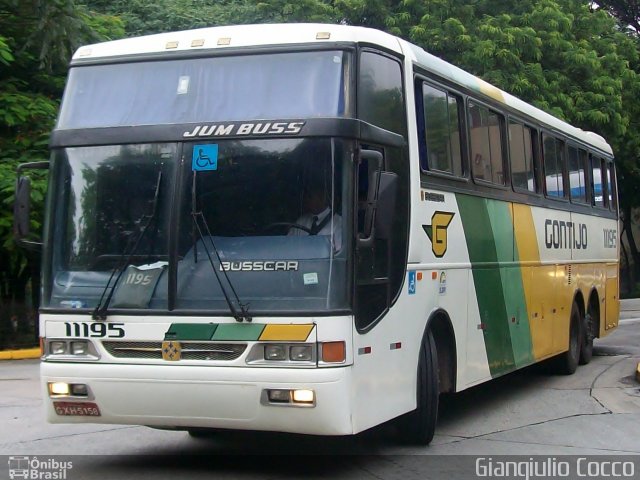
x,y
486,144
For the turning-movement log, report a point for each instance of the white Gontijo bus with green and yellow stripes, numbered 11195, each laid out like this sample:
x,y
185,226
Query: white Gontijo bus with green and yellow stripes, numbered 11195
x,y
311,229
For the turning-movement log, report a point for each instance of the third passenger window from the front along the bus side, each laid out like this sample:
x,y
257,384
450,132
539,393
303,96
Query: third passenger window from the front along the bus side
x,y
521,154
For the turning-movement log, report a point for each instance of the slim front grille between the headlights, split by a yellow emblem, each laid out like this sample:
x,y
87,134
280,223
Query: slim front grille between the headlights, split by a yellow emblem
x,y
190,350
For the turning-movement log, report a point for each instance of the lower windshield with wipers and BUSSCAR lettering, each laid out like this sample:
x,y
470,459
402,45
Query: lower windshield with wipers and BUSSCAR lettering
x,y
264,218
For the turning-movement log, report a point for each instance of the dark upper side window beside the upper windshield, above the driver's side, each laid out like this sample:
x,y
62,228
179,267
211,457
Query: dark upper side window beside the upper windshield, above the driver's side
x,y
380,97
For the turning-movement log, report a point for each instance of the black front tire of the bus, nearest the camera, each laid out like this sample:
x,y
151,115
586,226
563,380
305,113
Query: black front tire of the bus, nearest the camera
x,y
419,426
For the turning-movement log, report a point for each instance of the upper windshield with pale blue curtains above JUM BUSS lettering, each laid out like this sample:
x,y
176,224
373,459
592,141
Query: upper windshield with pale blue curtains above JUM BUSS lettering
x,y
284,85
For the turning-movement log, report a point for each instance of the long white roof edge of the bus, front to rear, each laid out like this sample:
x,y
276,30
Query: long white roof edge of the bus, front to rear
x,y
218,38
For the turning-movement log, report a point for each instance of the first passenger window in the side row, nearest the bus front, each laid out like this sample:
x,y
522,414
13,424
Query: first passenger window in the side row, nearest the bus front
x,y
443,150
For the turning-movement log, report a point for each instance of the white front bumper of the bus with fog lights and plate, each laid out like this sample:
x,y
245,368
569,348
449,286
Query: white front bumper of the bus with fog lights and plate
x,y
203,397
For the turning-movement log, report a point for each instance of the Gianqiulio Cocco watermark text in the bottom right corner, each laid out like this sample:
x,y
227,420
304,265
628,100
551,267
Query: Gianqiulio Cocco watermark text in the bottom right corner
x,y
552,467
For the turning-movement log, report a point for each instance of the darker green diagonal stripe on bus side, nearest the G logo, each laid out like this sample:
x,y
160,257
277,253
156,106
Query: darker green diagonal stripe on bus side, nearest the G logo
x,y
483,254
